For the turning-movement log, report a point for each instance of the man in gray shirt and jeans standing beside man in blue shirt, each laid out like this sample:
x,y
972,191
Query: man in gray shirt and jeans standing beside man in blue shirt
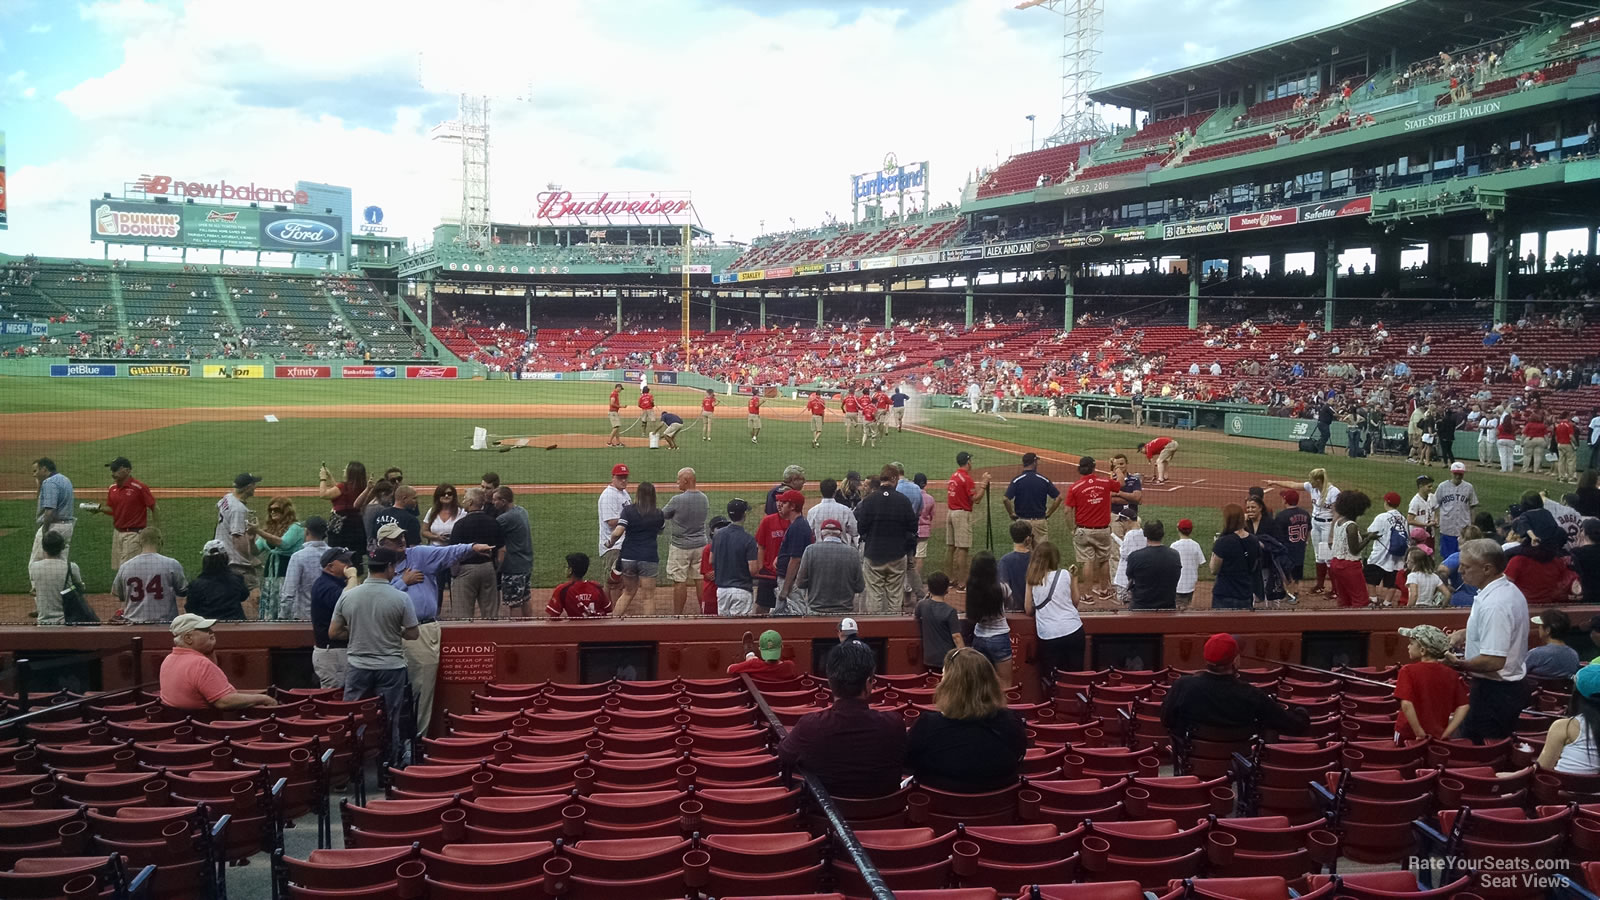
x,y
377,621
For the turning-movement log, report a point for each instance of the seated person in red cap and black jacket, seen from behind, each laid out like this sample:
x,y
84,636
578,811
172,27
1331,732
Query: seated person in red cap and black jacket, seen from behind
x,y
1218,699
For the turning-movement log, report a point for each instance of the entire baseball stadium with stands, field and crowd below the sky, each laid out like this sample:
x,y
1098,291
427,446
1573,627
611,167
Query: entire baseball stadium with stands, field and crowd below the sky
x,y
1199,505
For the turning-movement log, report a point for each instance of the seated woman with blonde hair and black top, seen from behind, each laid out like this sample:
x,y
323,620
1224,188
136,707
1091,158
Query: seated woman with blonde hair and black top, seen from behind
x,y
974,744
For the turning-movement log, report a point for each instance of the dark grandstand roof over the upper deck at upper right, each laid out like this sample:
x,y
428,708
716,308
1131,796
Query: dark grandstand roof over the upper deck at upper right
x,y
1426,25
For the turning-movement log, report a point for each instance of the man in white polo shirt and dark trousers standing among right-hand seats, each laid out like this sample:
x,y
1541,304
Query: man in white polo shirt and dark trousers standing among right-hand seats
x,y
1495,645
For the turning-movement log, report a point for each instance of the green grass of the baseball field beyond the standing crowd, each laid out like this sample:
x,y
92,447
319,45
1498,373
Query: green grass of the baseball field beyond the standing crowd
x,y
434,449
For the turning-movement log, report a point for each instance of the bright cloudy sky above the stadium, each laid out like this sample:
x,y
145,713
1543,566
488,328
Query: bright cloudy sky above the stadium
x,y
762,108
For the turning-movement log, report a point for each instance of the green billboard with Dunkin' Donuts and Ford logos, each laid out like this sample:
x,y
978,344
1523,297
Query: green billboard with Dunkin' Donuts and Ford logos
x,y
225,228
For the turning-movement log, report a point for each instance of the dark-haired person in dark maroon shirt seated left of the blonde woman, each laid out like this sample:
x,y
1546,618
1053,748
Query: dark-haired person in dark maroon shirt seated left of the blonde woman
x,y
855,752
